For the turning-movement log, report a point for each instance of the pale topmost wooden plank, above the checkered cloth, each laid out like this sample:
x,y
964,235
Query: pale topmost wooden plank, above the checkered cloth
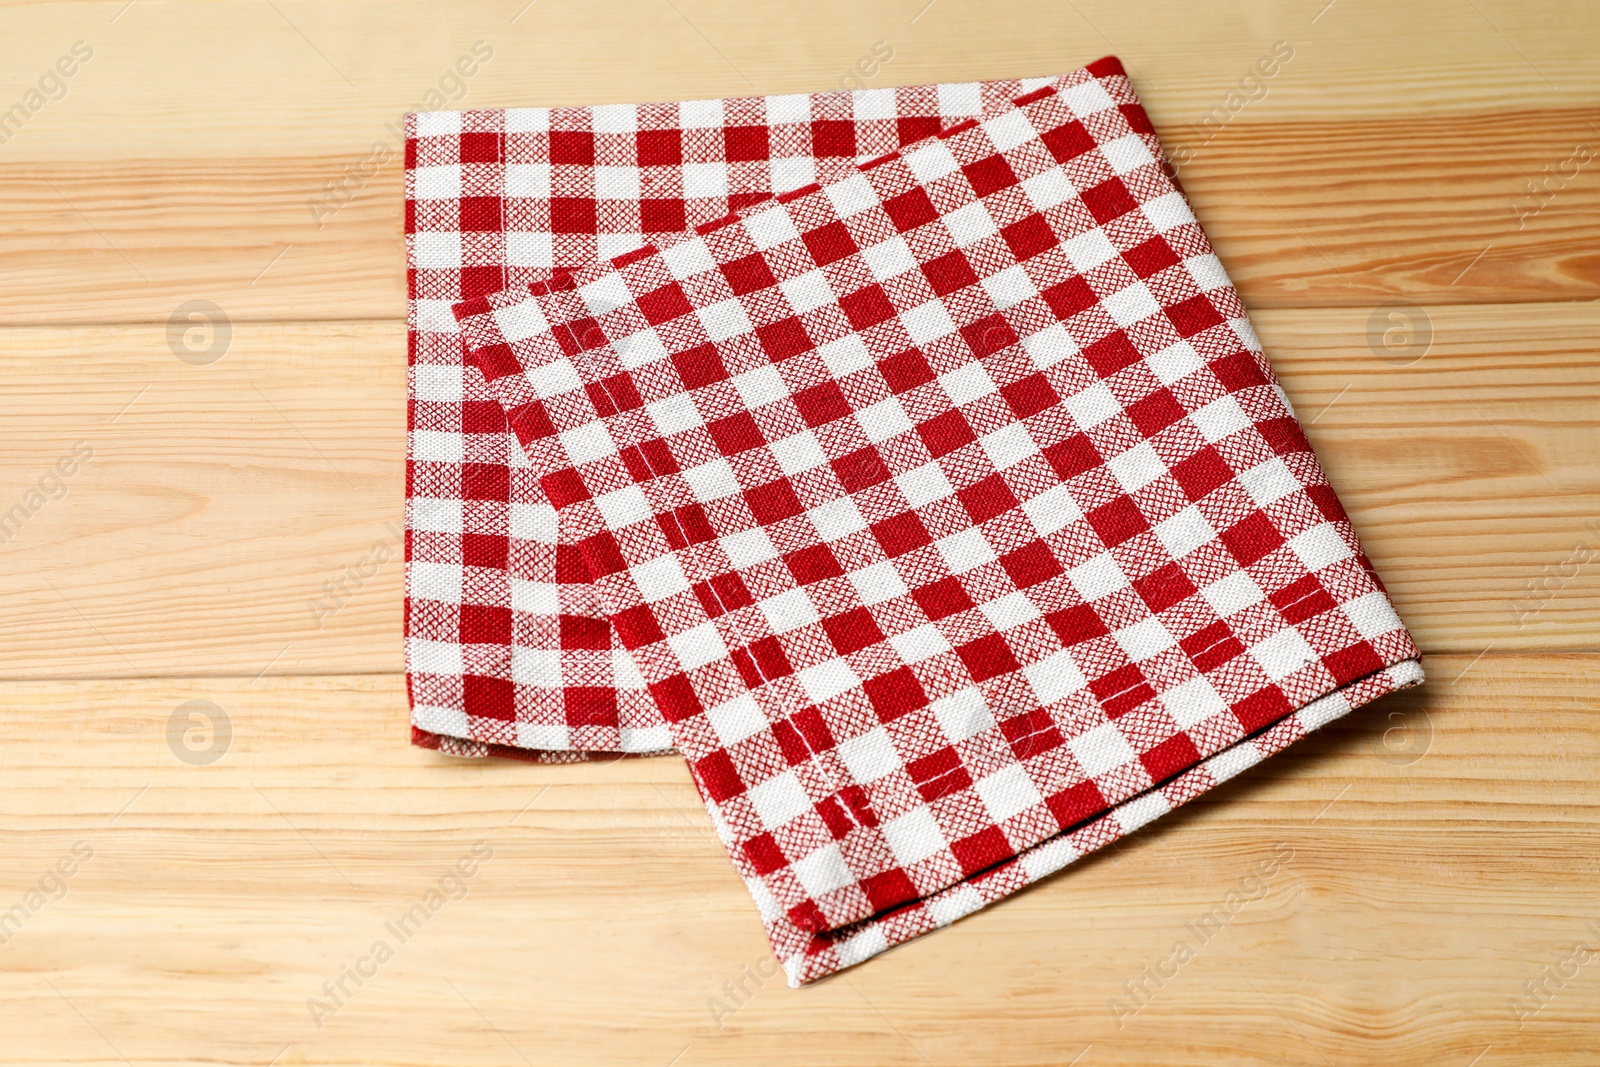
x,y
345,68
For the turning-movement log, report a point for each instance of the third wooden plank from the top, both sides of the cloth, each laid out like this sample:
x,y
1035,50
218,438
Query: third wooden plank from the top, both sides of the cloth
x,y
225,497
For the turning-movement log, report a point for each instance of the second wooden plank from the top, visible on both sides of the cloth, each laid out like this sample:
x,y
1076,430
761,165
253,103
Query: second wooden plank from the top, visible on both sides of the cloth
x,y
1305,214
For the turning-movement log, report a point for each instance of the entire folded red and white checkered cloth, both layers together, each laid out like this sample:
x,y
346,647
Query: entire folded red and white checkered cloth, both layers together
x,y
918,478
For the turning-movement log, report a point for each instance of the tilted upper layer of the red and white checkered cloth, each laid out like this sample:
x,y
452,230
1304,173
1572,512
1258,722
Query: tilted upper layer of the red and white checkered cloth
x,y
950,516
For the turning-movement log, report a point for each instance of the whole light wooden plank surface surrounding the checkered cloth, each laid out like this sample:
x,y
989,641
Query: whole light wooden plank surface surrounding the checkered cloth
x,y
1442,842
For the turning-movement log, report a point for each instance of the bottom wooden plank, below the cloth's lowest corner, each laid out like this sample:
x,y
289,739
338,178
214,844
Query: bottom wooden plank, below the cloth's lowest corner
x,y
1425,882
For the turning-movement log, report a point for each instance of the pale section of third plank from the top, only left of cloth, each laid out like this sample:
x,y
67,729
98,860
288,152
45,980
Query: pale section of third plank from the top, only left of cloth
x,y
218,503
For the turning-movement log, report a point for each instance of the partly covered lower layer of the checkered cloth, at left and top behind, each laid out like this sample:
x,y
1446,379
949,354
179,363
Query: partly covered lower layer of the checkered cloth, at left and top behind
x,y
506,649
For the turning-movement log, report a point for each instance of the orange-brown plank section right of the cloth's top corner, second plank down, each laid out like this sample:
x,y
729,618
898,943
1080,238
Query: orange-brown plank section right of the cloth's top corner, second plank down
x,y
1425,210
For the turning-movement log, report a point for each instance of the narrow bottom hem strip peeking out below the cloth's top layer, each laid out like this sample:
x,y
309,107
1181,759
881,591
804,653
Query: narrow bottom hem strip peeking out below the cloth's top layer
x,y
820,956
